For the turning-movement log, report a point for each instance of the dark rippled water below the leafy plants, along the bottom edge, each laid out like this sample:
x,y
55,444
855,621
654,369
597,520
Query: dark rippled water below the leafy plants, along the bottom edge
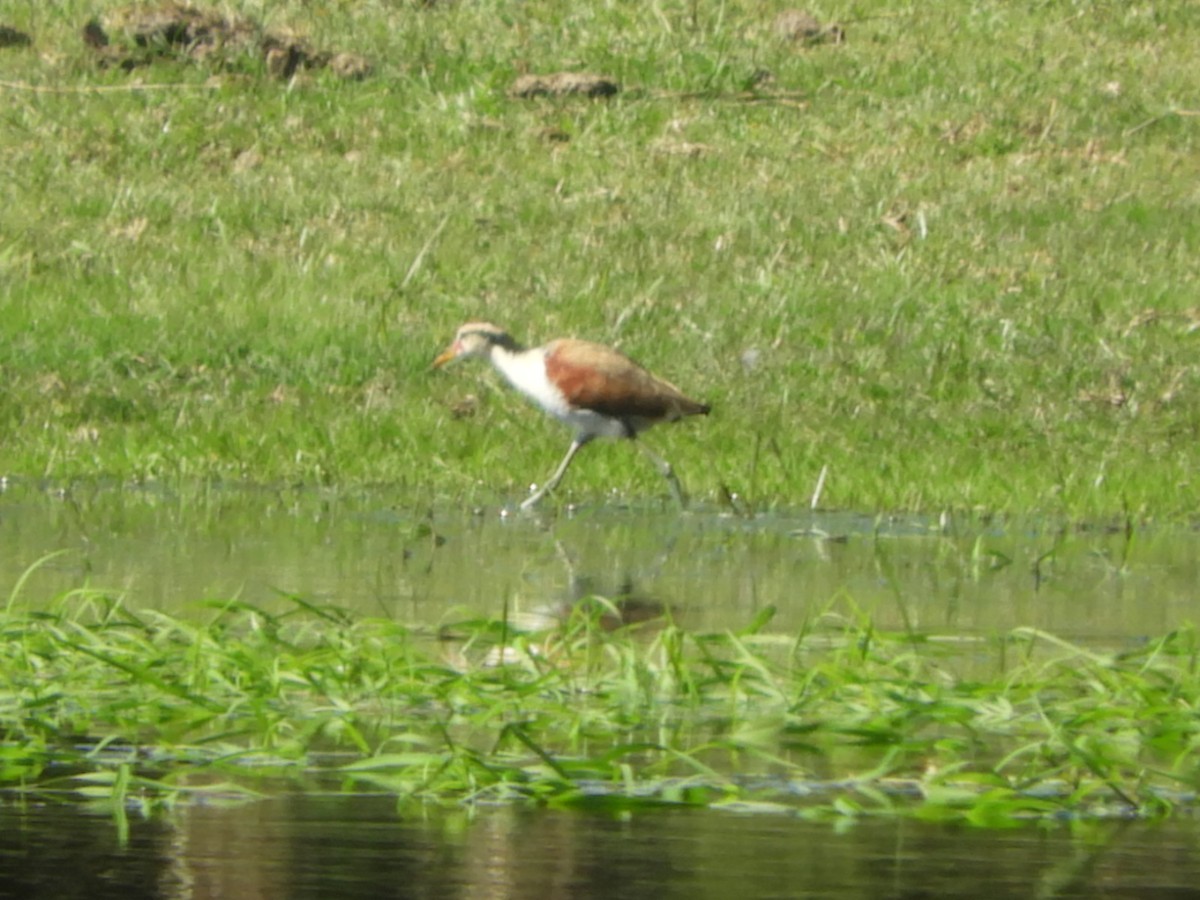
x,y
305,847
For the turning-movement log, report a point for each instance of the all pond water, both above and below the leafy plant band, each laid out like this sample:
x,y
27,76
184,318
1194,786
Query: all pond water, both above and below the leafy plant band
x,y
377,554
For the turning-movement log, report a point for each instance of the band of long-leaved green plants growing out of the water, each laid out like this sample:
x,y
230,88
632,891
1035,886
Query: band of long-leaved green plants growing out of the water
x,y
137,710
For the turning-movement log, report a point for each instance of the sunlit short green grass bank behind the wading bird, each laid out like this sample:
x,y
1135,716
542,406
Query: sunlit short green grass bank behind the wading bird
x,y
953,260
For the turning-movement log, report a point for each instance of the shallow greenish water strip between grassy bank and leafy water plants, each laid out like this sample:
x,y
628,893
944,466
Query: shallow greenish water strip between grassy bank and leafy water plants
x,y
373,554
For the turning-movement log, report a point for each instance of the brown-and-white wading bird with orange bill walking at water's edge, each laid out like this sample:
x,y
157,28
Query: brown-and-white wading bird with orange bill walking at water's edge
x,y
597,391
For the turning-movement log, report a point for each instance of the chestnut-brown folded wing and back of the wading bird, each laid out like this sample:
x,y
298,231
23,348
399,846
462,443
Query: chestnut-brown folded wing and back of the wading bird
x,y
597,377
